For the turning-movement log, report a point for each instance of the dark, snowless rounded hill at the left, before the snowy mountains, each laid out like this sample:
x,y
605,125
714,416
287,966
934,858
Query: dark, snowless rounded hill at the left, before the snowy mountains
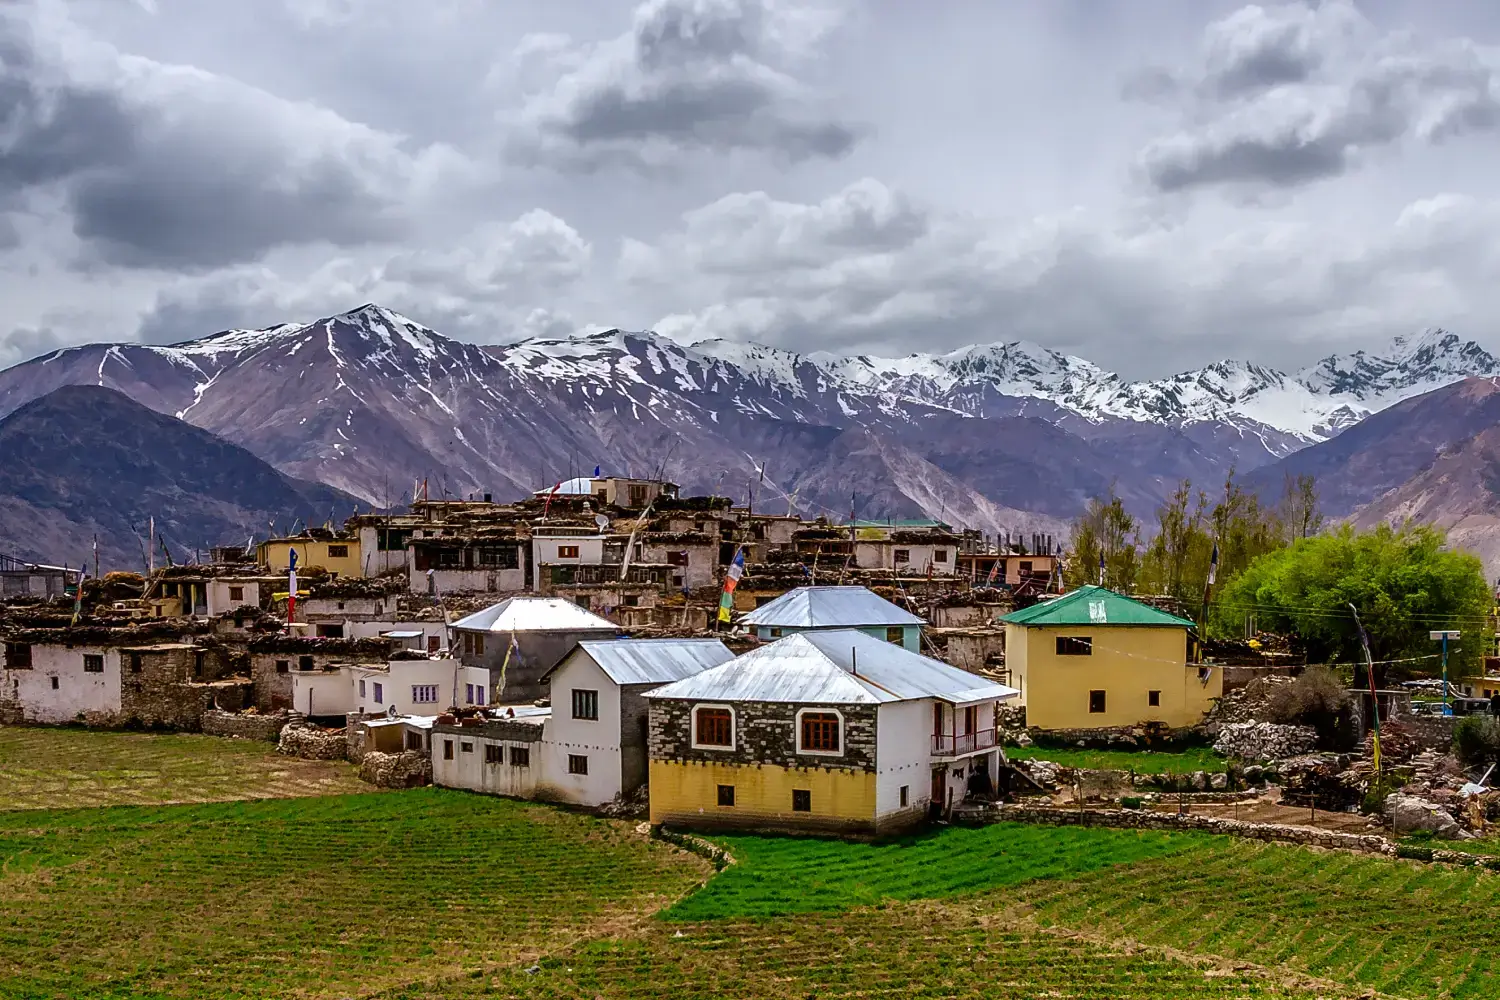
x,y
86,463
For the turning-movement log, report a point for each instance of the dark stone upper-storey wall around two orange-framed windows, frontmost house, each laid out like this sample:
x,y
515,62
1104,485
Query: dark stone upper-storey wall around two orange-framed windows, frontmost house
x,y
766,732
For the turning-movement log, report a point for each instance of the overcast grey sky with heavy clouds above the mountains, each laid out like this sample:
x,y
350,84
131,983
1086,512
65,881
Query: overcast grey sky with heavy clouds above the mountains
x,y
1148,184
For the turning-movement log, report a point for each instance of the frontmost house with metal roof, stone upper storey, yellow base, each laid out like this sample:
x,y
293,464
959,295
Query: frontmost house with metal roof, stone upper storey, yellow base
x,y
821,732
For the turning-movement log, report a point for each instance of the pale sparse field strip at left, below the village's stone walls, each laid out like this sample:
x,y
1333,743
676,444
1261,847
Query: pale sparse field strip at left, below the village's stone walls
x,y
59,768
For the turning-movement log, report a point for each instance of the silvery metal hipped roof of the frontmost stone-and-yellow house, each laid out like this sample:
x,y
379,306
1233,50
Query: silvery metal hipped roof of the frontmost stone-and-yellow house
x,y
833,668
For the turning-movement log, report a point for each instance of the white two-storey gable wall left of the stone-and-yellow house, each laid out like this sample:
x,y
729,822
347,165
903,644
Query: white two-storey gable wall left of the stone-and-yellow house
x,y
586,723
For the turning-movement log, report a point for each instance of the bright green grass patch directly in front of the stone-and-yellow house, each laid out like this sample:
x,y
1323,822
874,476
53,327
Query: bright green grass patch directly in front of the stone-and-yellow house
x,y
785,875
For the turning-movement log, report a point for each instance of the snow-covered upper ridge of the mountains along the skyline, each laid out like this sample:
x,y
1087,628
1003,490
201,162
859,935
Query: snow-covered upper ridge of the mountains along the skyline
x,y
649,370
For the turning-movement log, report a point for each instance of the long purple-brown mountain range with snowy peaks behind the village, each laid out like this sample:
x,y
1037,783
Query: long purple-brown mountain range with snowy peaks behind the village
x,y
1004,437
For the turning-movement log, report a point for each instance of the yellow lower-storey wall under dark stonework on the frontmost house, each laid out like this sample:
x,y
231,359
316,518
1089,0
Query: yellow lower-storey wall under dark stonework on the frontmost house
x,y
688,795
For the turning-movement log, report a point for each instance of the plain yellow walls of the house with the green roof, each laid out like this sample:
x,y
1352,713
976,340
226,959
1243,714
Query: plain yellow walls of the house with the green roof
x,y
1127,663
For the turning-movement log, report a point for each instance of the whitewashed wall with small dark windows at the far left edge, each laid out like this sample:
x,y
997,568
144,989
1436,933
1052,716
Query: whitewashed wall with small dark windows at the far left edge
x,y
88,681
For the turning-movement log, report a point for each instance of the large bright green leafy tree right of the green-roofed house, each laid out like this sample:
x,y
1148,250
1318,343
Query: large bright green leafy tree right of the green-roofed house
x,y
1405,582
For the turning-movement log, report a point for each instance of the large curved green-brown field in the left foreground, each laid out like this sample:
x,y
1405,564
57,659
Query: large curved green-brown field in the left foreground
x,y
311,897
